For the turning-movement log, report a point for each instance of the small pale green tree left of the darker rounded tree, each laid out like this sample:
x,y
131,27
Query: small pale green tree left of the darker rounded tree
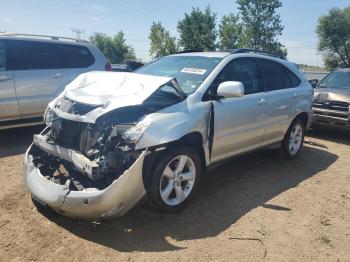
x,y
162,43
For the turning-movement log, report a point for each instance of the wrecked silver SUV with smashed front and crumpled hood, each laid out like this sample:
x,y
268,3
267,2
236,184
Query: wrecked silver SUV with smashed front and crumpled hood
x,y
115,138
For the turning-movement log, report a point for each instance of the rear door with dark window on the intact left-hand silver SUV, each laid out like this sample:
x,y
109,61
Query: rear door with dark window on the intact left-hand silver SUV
x,y
39,74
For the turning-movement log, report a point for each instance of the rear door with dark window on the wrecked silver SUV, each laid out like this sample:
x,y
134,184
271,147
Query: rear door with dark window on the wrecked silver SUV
x,y
281,94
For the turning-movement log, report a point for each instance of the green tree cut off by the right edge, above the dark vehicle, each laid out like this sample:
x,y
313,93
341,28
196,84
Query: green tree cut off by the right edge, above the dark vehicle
x,y
334,38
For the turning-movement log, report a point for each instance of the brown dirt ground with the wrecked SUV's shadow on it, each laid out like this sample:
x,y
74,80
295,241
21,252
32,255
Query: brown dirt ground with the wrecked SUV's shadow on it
x,y
253,208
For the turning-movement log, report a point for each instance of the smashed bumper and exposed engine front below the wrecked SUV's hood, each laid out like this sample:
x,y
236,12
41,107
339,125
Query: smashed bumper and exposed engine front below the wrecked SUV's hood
x,y
85,171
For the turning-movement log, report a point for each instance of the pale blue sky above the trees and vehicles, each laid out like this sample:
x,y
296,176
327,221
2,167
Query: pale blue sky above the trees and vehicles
x,y
134,17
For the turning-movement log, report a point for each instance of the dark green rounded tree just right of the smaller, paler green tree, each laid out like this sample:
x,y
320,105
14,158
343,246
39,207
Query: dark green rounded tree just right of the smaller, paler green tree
x,y
197,30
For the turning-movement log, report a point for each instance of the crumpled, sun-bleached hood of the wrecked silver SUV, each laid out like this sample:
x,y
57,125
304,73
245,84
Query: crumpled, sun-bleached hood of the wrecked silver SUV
x,y
107,91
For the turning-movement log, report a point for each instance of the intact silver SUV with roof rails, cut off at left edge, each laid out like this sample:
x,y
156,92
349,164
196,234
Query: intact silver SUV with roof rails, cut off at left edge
x,y
35,69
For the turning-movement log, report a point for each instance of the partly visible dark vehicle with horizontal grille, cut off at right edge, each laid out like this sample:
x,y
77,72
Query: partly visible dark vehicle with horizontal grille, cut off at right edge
x,y
332,100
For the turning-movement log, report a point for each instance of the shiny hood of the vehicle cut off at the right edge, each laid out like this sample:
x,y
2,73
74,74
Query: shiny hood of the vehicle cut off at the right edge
x,y
332,94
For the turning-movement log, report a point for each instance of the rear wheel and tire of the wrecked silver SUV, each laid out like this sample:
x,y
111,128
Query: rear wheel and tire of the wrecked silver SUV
x,y
294,139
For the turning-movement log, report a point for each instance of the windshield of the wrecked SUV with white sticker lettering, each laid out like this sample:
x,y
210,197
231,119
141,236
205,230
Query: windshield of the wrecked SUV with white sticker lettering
x,y
189,71
